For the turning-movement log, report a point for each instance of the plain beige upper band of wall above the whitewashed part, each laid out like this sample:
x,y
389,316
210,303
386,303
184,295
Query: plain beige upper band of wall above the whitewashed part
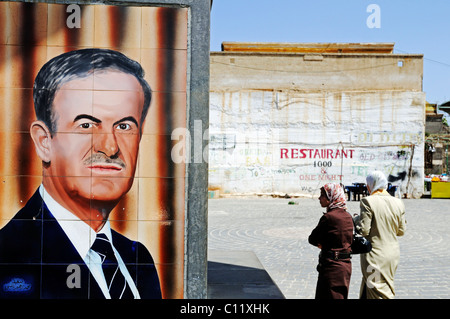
x,y
315,72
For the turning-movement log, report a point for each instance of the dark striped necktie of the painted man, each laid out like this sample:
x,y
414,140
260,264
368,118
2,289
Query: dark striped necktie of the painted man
x,y
116,282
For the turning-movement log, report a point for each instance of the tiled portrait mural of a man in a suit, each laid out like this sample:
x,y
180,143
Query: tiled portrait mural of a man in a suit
x,y
92,204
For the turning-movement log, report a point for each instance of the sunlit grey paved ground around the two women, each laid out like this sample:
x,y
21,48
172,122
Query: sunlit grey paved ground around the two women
x,y
276,233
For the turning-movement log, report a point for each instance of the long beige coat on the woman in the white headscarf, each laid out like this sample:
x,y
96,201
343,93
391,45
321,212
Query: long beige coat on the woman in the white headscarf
x,y
382,220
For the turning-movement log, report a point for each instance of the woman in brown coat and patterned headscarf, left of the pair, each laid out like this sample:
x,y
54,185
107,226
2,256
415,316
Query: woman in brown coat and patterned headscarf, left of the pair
x,y
333,235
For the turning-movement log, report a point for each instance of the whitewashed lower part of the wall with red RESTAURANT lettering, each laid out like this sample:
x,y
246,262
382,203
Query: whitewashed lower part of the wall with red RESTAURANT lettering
x,y
258,147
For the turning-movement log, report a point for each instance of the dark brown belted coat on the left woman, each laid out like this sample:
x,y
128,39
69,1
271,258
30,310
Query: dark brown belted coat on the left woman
x,y
334,232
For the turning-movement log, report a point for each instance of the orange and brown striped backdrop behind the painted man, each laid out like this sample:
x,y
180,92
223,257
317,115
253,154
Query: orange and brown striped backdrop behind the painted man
x,y
33,33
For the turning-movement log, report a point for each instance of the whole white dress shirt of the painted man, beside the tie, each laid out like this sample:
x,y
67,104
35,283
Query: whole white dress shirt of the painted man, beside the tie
x,y
82,237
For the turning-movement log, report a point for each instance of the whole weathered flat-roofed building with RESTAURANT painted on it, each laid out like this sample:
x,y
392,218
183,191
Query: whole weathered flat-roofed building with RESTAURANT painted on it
x,y
287,118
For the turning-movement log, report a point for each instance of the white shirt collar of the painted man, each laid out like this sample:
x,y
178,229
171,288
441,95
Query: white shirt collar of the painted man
x,y
80,233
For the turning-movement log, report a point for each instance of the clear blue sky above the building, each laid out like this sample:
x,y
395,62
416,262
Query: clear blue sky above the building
x,y
415,26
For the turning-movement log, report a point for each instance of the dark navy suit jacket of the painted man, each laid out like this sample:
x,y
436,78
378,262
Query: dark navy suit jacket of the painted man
x,y
36,254
